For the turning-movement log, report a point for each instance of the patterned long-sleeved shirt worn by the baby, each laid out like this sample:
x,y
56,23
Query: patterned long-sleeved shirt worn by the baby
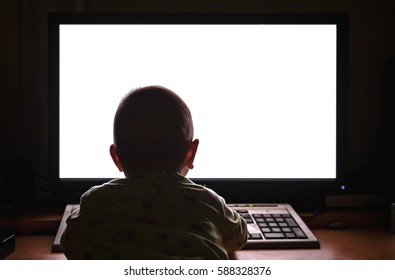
x,y
157,215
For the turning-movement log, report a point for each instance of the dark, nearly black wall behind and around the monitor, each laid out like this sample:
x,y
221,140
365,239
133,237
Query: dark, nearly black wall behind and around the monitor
x,y
23,52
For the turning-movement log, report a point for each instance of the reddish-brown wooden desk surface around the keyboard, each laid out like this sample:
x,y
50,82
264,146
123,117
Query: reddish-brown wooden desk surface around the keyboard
x,y
356,243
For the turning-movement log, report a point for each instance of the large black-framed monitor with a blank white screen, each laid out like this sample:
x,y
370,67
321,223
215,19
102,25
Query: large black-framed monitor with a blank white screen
x,y
267,92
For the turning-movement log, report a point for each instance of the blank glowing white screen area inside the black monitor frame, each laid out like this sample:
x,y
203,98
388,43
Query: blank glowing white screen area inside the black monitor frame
x,y
263,97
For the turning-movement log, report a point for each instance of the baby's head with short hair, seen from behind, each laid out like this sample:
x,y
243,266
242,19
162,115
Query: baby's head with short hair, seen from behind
x,y
153,131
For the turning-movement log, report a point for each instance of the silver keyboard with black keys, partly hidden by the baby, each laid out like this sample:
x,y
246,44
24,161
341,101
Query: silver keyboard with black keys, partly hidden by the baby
x,y
269,226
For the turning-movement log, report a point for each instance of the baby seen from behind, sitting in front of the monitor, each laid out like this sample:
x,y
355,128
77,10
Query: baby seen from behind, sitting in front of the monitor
x,y
155,212
